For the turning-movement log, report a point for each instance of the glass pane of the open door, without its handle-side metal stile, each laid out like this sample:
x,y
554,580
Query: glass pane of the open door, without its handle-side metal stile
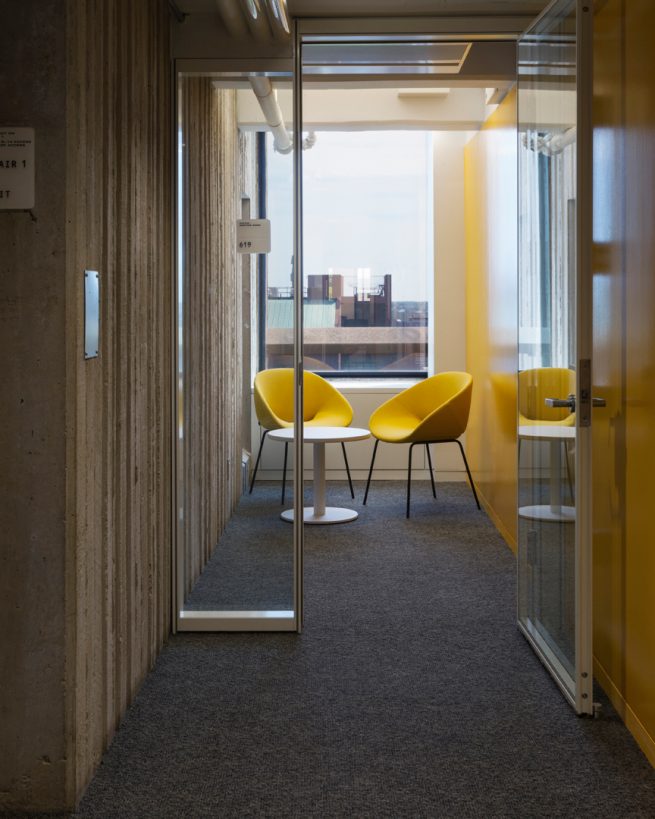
x,y
547,355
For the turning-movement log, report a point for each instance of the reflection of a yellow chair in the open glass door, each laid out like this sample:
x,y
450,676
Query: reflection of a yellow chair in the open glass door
x,y
537,384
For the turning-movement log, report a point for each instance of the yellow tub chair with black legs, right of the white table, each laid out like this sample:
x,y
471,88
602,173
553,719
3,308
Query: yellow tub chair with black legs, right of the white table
x,y
434,411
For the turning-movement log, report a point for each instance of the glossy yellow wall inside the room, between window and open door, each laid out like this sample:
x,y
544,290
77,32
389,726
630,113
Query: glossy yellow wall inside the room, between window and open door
x,y
490,211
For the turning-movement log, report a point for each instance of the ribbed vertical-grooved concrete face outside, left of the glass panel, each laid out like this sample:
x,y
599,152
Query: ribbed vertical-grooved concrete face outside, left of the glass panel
x,y
119,405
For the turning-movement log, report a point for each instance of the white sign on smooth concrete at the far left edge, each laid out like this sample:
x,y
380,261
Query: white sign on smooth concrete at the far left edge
x,y
16,168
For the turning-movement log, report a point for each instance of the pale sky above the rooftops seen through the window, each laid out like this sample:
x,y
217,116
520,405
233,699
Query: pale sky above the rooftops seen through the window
x,y
367,209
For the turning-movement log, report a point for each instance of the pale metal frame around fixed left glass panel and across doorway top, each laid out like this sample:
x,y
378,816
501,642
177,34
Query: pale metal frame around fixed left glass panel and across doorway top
x,y
362,29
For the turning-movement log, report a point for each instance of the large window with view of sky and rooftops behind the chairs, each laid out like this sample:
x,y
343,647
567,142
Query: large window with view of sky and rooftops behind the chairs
x,y
367,253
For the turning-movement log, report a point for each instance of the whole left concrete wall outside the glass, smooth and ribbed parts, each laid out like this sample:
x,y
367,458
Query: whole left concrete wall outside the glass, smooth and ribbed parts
x,y
85,502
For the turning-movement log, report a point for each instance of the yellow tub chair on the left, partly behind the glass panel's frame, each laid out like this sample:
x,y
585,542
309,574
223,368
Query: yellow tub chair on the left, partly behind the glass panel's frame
x,y
323,406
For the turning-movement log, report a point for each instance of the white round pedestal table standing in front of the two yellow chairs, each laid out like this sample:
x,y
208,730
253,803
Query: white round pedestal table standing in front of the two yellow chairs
x,y
319,436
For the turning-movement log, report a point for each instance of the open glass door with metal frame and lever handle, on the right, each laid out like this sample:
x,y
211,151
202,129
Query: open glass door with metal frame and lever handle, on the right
x,y
554,364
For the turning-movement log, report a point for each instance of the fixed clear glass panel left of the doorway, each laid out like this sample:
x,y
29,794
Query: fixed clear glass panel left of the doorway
x,y
236,563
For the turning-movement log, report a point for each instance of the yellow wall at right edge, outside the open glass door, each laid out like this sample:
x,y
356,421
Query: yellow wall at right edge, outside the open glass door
x,y
624,361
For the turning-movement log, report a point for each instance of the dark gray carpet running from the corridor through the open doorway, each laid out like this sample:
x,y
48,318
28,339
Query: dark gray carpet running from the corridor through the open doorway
x,y
410,693
